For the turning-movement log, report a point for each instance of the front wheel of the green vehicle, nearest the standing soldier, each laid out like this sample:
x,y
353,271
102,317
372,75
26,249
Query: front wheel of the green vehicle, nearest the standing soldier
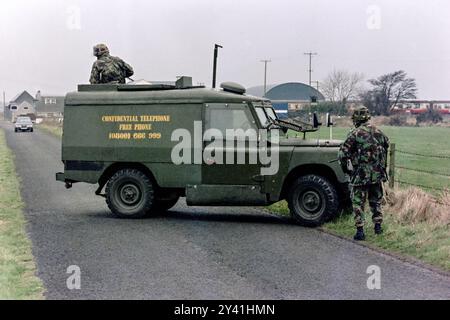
x,y
312,200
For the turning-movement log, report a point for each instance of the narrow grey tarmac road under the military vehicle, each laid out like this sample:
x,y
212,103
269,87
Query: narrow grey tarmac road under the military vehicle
x,y
191,253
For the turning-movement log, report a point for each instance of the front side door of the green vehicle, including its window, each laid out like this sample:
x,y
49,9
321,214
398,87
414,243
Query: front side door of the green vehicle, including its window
x,y
237,141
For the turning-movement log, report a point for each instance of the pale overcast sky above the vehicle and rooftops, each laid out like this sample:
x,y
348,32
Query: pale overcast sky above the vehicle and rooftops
x,y
47,44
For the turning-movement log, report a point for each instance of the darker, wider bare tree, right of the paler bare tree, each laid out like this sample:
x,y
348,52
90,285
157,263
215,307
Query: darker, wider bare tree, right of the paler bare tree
x,y
387,90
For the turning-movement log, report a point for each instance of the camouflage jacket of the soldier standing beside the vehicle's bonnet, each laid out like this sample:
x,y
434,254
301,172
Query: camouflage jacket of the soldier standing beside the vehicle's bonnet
x,y
366,147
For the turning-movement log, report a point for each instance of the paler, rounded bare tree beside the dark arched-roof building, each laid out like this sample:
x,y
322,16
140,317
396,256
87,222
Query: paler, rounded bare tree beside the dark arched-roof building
x,y
341,85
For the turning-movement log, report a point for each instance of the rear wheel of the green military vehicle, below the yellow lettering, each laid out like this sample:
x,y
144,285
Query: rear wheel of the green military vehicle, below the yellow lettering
x,y
130,194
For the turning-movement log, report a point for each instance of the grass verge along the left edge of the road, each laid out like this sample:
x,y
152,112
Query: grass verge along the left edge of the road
x,y
17,268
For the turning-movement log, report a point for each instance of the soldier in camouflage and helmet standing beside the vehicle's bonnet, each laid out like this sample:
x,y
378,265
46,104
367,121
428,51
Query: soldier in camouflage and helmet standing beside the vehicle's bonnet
x,y
363,156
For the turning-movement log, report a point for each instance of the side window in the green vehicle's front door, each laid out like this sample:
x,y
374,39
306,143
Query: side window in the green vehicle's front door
x,y
236,121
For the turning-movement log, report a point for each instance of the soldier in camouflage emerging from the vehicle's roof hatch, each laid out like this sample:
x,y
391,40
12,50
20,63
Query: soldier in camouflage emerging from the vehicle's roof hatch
x,y
109,69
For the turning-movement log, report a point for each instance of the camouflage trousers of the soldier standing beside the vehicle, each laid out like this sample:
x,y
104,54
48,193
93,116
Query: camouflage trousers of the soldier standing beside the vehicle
x,y
374,192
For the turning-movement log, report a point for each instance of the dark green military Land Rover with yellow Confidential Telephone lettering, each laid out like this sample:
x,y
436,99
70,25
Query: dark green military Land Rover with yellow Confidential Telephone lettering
x,y
148,145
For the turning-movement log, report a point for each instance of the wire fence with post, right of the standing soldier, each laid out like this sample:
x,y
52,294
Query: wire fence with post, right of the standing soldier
x,y
395,179
